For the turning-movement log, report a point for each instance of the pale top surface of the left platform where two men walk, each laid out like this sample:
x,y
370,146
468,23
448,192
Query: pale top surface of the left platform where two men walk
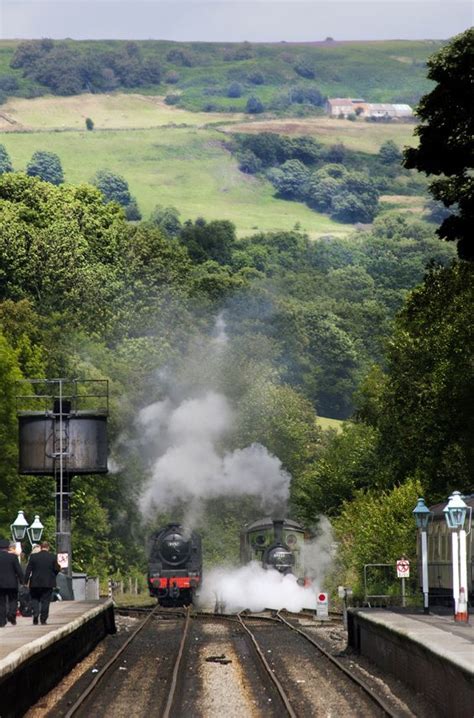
x,y
20,642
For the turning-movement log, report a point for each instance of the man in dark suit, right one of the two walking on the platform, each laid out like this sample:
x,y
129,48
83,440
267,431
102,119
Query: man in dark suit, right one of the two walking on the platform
x,y
41,573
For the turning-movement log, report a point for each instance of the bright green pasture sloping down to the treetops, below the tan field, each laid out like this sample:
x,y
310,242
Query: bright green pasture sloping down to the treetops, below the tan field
x,y
181,166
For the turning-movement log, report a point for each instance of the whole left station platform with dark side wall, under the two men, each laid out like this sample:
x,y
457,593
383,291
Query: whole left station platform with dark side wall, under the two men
x,y
34,658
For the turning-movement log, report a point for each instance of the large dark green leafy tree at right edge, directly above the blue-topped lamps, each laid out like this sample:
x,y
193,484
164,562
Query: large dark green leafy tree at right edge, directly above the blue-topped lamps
x,y
423,409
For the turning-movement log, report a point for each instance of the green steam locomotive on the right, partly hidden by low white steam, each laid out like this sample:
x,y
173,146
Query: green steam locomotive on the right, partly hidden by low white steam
x,y
276,544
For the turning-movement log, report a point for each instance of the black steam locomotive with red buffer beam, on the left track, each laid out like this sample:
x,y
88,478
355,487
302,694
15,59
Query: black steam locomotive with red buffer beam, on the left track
x,y
174,565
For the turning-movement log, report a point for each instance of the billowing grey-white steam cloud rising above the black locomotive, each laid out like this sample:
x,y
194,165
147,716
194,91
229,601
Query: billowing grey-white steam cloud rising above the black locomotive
x,y
188,464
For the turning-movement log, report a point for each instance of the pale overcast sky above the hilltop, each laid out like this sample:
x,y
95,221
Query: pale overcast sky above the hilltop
x,y
228,20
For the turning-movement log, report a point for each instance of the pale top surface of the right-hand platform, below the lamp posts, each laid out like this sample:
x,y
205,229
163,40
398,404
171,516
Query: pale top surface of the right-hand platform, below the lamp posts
x,y
440,634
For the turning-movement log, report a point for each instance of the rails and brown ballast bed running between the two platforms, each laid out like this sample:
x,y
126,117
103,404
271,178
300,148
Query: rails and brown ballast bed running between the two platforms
x,y
158,670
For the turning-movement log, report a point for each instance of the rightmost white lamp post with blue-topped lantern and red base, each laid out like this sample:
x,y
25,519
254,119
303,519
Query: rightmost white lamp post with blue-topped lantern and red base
x,y
455,513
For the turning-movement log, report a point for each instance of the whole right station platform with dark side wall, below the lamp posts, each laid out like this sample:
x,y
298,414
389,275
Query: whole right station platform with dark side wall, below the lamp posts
x,y
431,653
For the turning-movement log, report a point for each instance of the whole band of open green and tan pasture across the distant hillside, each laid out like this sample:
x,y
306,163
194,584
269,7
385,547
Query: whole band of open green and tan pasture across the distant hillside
x,y
173,156
